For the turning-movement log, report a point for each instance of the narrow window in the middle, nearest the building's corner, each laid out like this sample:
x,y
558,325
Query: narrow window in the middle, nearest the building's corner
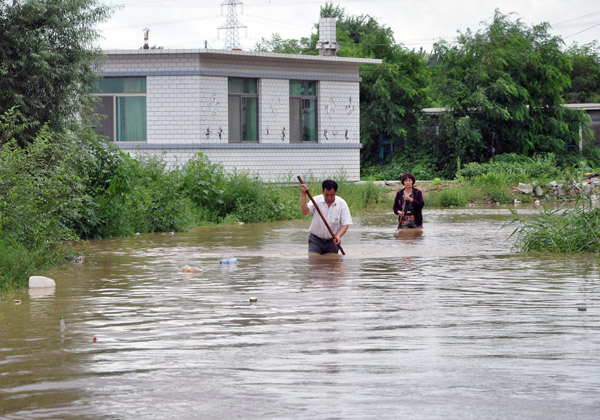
x,y
243,110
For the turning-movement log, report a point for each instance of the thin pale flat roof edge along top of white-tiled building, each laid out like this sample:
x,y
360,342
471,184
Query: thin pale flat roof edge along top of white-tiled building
x,y
206,51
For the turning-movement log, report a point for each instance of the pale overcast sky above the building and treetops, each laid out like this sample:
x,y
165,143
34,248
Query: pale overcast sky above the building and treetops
x,y
189,24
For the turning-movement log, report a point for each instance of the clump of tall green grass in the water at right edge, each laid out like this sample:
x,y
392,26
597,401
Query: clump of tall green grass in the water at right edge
x,y
561,230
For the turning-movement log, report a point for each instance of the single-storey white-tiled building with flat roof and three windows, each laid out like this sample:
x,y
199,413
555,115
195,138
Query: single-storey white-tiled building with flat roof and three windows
x,y
177,103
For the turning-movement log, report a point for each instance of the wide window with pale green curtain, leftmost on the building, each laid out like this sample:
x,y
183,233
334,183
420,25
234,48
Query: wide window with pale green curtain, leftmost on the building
x,y
123,102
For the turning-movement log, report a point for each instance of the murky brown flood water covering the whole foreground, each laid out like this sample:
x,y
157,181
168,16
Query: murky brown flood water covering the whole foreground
x,y
449,324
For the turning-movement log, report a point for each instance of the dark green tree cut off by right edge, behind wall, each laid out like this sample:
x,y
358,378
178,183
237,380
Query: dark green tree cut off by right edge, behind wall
x,y
585,76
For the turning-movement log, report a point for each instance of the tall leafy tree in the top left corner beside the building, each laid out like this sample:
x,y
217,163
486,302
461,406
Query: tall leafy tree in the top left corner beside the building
x,y
47,61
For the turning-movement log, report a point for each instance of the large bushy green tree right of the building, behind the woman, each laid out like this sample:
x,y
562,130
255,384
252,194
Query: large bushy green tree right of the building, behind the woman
x,y
503,87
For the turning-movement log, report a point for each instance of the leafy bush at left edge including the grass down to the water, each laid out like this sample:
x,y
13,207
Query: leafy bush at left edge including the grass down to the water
x,y
41,197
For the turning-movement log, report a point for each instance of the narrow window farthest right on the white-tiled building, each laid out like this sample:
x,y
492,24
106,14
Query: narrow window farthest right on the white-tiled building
x,y
303,111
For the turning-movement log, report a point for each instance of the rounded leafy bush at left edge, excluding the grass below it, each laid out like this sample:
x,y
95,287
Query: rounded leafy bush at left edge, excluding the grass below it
x,y
40,194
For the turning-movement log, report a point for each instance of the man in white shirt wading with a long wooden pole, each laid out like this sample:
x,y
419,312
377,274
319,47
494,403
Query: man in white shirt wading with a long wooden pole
x,y
336,212
